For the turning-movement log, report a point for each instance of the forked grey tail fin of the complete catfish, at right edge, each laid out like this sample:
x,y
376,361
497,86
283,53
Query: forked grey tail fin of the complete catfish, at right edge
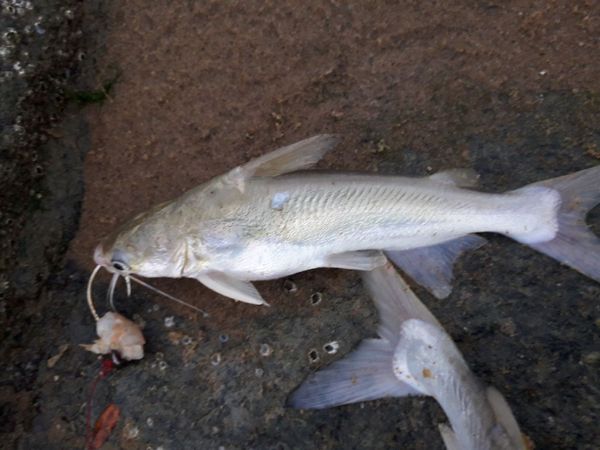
x,y
574,244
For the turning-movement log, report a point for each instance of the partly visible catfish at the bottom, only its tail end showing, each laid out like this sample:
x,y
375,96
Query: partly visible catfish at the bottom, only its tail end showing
x,y
414,356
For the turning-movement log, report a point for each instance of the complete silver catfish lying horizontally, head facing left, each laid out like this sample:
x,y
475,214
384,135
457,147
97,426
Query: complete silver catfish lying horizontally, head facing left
x,y
260,221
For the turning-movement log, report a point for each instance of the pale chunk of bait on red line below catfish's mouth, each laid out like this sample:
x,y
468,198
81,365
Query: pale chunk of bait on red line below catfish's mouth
x,y
119,334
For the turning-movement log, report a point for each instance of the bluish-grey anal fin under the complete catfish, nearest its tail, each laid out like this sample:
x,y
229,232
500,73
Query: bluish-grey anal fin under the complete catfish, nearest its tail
x,y
431,266
